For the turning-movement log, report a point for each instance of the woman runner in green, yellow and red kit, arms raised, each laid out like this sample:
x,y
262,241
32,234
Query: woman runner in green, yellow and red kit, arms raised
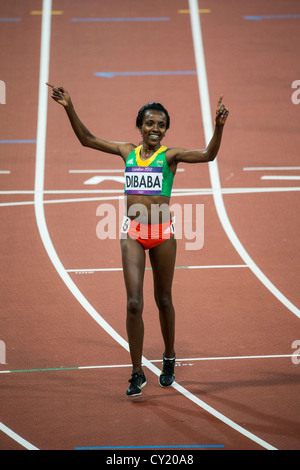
x,y
149,174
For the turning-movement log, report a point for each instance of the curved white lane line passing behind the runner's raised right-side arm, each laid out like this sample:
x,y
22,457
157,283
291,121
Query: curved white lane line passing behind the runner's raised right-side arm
x,y
213,166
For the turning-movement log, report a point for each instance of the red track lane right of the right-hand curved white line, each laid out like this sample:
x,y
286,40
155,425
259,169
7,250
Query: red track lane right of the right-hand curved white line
x,y
262,136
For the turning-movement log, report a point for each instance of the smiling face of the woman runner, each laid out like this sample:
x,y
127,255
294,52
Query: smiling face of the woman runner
x,y
154,128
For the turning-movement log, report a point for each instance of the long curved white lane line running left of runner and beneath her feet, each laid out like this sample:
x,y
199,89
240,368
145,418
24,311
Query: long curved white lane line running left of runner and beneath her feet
x,y
43,230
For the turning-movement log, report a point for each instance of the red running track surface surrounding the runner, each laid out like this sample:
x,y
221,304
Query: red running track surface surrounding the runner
x,y
236,340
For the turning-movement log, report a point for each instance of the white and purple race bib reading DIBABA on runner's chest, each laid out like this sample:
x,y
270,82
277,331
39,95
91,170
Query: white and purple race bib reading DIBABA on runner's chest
x,y
143,180
